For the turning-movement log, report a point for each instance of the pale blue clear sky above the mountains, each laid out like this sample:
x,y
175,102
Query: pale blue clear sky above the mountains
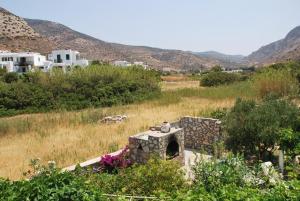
x,y
228,26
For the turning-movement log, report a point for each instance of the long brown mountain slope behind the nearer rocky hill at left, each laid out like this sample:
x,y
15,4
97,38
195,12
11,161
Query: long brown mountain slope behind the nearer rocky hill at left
x,y
93,48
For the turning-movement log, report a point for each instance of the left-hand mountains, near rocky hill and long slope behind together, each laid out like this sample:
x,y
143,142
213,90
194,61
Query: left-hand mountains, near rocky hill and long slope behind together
x,y
18,34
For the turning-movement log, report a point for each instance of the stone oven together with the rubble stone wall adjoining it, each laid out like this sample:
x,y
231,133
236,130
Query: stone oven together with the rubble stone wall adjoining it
x,y
194,133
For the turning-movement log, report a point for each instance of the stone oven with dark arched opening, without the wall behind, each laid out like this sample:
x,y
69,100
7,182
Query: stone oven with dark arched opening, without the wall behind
x,y
165,145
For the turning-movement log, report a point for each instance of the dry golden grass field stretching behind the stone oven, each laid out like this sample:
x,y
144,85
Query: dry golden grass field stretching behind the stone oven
x,y
72,137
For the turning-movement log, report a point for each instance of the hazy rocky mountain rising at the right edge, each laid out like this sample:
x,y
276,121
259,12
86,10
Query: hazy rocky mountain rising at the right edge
x,y
282,50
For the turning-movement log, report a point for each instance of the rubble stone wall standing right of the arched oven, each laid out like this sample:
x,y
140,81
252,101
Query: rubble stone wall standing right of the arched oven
x,y
200,133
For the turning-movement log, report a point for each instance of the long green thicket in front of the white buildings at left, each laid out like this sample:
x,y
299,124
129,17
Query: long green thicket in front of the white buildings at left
x,y
80,88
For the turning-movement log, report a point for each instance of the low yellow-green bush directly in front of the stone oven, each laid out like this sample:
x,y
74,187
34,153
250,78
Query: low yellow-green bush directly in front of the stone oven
x,y
154,178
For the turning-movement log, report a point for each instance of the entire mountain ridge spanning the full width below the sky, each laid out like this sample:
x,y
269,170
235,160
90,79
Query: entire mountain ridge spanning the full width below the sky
x,y
22,34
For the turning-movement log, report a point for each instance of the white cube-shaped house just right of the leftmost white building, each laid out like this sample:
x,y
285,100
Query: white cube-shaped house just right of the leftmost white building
x,y
67,58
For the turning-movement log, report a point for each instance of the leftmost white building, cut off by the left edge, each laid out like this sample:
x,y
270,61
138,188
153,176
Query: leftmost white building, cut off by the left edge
x,y
23,61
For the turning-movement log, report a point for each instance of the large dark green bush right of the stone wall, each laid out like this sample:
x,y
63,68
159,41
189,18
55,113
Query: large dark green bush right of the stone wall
x,y
255,129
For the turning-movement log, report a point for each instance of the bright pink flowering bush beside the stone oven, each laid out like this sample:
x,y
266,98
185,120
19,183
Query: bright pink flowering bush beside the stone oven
x,y
111,163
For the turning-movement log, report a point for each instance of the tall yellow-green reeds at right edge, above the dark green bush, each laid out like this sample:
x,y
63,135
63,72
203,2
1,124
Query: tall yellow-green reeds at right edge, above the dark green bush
x,y
280,82
